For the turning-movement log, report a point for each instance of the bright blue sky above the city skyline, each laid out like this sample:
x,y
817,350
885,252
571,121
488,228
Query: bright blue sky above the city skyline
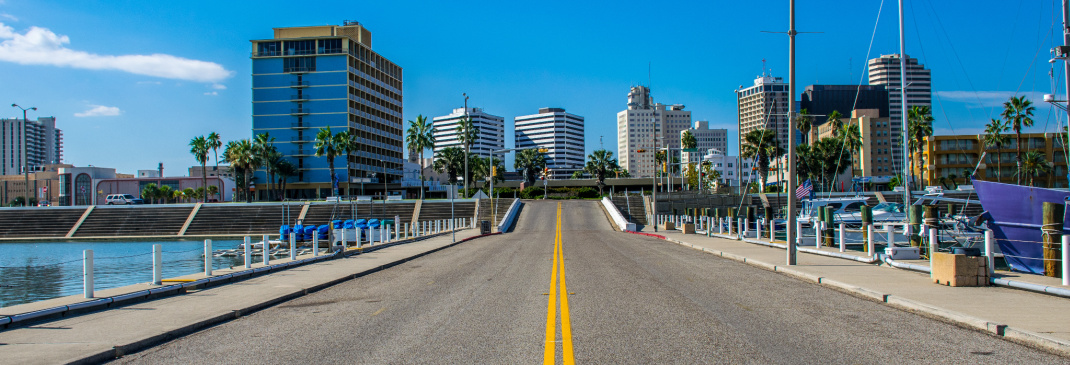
x,y
132,82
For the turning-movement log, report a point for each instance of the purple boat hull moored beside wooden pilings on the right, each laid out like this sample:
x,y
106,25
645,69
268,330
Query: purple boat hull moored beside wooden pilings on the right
x,y
1015,215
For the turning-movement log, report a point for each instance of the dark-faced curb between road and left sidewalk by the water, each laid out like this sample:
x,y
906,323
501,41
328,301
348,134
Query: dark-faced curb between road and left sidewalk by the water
x,y
121,351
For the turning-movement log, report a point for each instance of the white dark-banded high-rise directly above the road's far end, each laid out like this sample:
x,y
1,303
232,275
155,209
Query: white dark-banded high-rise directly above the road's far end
x,y
560,133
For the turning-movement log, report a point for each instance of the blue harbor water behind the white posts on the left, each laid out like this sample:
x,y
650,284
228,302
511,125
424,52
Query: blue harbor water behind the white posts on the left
x,y
32,272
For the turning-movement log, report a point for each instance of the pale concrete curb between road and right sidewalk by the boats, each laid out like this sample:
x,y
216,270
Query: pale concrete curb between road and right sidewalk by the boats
x,y
1021,337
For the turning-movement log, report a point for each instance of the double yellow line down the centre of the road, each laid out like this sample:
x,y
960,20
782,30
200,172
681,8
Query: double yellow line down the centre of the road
x,y
552,315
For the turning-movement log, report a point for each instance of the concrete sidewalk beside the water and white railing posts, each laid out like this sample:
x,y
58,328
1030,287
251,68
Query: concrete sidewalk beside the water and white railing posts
x,y
108,334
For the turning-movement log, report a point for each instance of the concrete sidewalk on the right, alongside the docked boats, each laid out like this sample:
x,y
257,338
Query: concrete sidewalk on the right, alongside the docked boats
x,y
1032,318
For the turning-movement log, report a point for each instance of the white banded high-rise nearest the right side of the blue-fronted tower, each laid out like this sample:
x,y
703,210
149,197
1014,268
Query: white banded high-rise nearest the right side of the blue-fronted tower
x,y
492,131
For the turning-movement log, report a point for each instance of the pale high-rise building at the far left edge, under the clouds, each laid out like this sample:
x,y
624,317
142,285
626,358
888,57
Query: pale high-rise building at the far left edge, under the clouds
x,y
44,140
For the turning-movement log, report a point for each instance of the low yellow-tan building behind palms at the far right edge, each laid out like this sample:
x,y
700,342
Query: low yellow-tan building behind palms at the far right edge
x,y
946,156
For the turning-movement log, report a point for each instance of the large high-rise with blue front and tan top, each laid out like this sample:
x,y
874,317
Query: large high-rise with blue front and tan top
x,y
309,79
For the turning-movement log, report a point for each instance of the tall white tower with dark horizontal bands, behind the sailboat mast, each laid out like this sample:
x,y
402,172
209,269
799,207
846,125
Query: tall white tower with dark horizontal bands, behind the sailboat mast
x,y
885,71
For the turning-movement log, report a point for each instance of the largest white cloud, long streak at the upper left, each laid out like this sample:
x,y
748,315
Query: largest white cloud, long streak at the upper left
x,y
42,47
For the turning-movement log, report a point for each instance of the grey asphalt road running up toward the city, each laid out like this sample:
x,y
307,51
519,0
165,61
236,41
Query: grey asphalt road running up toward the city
x,y
632,300
